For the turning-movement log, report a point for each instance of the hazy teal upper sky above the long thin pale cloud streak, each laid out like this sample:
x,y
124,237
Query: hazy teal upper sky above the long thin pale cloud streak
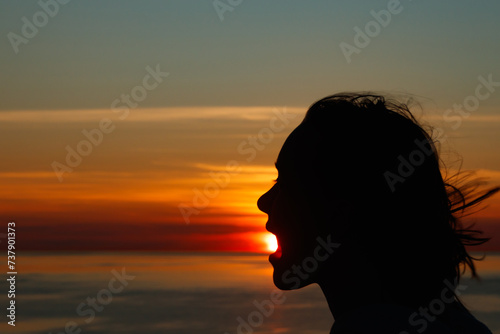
x,y
262,53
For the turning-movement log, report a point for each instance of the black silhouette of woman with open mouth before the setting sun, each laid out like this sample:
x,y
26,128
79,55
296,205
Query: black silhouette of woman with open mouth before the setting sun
x,y
360,207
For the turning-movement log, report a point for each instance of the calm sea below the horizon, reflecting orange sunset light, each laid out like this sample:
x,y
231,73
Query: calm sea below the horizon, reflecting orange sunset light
x,y
183,293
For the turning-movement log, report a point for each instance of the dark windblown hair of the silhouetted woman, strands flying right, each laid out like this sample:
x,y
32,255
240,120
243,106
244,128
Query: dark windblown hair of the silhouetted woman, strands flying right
x,y
387,169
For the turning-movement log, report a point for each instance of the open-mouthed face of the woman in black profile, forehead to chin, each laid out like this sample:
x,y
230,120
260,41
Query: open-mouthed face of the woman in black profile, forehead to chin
x,y
290,213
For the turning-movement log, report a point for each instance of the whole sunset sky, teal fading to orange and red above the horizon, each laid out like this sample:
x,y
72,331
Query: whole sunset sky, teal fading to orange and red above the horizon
x,y
177,100
